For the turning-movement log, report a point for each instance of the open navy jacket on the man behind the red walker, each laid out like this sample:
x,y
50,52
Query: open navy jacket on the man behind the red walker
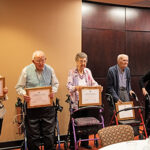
x,y
113,82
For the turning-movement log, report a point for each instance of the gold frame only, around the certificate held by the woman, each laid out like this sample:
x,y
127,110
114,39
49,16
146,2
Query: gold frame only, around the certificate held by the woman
x,y
90,88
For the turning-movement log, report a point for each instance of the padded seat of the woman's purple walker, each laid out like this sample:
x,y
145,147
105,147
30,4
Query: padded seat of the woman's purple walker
x,y
86,121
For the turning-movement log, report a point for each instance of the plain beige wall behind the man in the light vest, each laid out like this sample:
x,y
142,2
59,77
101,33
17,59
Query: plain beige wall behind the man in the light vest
x,y
53,26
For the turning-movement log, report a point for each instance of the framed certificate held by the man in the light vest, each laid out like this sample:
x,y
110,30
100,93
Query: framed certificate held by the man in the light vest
x,y
39,97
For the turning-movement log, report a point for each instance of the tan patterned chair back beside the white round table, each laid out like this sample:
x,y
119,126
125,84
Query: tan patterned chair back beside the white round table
x,y
115,134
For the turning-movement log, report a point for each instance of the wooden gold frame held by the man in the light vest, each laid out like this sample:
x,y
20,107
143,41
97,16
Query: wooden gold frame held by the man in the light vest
x,y
28,90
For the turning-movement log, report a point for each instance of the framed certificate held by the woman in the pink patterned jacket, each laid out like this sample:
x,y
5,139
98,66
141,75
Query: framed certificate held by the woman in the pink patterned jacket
x,y
90,96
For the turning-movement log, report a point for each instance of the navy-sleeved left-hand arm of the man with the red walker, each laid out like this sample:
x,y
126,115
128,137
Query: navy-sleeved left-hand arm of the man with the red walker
x,y
110,86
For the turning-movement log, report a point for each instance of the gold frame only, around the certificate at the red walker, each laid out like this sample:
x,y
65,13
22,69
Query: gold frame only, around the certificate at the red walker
x,y
125,103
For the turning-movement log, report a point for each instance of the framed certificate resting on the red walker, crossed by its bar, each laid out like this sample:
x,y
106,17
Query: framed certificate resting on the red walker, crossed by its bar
x,y
125,115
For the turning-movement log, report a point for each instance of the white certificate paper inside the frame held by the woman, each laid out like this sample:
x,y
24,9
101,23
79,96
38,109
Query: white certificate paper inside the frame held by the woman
x,y
90,96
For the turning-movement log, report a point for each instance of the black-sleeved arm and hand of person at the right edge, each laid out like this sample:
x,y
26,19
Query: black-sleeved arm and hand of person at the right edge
x,y
142,82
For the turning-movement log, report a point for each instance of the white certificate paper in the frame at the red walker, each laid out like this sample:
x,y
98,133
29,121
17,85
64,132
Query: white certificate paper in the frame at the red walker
x,y
125,114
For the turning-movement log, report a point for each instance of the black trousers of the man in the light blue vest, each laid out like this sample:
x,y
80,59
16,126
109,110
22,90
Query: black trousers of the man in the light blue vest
x,y
40,122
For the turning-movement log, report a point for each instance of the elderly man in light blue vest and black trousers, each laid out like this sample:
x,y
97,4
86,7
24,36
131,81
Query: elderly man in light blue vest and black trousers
x,y
38,120
